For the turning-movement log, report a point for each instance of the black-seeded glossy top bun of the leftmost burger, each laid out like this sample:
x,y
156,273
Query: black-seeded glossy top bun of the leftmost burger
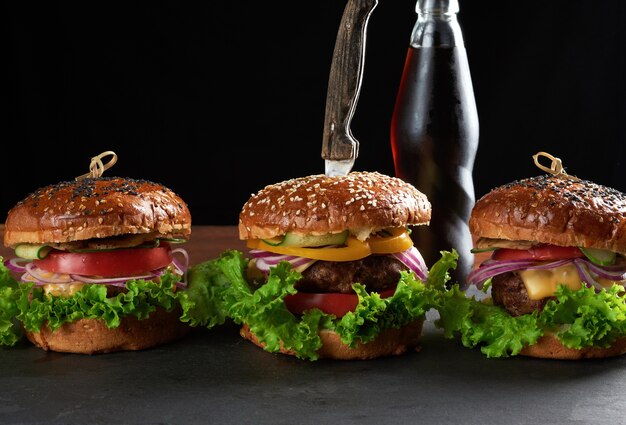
x,y
97,208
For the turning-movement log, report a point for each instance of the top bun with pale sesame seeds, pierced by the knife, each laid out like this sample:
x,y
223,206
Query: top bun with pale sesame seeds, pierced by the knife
x,y
362,202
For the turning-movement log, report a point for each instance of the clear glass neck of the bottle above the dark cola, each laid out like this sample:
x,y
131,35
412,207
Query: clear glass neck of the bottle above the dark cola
x,y
437,24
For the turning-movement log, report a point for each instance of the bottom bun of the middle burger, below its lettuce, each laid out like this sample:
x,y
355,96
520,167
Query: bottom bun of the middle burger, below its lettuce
x,y
389,342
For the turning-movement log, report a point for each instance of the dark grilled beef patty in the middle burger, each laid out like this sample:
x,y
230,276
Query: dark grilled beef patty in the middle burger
x,y
375,272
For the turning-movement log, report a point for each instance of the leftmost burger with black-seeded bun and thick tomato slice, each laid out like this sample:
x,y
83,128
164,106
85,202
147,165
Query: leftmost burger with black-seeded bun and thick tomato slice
x,y
97,266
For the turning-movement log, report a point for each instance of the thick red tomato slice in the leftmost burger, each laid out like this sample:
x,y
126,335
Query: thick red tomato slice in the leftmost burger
x,y
115,263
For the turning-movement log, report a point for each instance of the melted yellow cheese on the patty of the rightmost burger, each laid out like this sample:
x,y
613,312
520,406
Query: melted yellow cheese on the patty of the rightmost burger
x,y
543,283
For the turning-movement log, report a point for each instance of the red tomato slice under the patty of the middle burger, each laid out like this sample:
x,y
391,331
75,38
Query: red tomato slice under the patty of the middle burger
x,y
328,302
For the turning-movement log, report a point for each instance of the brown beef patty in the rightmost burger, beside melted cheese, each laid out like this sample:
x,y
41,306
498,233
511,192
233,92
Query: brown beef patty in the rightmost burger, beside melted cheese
x,y
508,290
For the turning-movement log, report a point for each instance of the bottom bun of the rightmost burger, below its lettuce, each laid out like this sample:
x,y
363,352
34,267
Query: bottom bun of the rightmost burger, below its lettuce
x,y
549,347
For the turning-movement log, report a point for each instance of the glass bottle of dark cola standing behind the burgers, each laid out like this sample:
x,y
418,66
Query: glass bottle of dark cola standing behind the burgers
x,y
434,131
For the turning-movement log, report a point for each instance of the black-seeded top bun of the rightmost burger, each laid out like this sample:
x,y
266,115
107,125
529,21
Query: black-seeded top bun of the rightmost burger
x,y
553,210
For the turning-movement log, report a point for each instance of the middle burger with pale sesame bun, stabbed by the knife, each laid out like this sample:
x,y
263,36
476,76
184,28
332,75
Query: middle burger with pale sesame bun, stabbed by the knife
x,y
332,271
